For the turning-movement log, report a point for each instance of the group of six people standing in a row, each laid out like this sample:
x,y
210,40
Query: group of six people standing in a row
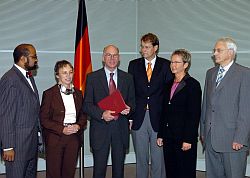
x,y
163,111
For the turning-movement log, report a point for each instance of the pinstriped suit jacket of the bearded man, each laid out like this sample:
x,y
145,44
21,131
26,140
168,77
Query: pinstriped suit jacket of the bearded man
x,y
19,114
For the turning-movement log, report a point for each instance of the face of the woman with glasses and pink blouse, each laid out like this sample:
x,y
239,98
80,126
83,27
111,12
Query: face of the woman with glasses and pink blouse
x,y
177,65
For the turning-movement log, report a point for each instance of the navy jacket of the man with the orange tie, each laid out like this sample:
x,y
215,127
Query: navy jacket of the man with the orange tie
x,y
149,92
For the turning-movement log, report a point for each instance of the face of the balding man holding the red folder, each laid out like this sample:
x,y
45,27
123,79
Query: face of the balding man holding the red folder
x,y
111,58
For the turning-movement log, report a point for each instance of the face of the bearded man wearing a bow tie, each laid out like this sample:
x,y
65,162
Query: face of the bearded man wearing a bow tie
x,y
31,62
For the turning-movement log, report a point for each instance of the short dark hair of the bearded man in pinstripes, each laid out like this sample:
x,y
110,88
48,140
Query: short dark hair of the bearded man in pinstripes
x,y
21,50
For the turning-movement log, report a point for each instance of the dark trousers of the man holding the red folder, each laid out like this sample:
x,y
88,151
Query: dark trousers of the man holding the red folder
x,y
118,151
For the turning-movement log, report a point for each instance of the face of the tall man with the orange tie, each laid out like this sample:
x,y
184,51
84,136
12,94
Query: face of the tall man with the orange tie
x,y
148,51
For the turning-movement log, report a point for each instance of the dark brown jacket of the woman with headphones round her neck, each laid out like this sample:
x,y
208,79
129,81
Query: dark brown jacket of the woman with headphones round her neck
x,y
53,111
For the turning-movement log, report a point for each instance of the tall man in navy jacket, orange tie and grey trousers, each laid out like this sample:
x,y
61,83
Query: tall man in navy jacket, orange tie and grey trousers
x,y
150,73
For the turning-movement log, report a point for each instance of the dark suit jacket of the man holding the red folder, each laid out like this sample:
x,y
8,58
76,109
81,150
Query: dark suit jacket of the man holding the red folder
x,y
96,90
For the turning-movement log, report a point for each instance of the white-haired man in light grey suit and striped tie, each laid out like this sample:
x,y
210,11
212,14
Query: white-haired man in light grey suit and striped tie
x,y
225,123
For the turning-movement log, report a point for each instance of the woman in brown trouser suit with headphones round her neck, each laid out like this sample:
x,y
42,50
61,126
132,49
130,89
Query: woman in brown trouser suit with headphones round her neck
x,y
63,123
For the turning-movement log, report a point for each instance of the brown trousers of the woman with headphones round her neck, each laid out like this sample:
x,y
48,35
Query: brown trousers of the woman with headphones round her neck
x,y
61,158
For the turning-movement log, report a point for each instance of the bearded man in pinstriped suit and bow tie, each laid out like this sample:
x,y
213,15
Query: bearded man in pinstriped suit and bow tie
x,y
19,113
